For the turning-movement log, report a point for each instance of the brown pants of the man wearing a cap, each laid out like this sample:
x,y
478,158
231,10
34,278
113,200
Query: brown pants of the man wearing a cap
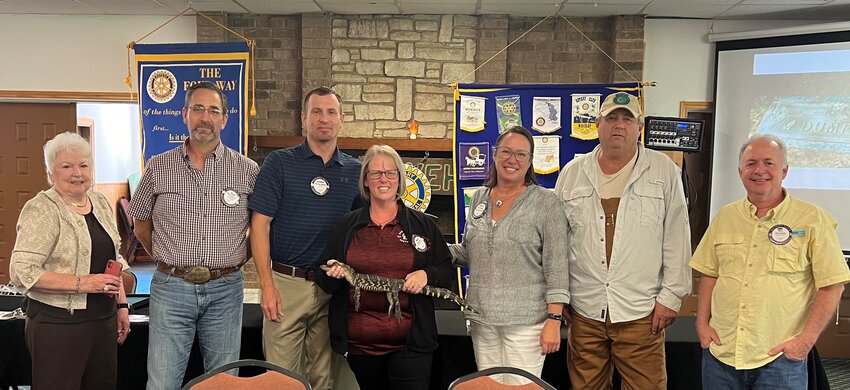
x,y
630,346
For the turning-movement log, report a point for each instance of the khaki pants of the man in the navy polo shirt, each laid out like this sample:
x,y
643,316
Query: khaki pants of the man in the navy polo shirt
x,y
301,340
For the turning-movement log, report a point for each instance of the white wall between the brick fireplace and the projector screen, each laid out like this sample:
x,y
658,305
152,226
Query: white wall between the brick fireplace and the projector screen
x,y
680,58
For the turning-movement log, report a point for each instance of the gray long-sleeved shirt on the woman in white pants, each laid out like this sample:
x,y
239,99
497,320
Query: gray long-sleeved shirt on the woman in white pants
x,y
519,264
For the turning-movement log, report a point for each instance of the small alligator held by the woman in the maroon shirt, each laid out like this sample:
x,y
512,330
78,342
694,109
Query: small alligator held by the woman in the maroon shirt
x,y
392,287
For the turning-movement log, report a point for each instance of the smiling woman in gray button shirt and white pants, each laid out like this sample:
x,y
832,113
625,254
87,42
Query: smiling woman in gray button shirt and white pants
x,y
515,246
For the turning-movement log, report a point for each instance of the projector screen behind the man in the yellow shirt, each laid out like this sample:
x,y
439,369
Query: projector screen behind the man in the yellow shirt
x,y
798,89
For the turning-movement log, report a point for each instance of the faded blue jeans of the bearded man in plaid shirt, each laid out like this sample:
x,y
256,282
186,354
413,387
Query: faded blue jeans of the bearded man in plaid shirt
x,y
178,311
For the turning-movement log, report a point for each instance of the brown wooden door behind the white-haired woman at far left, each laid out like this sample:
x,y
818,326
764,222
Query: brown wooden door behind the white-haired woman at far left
x,y
24,128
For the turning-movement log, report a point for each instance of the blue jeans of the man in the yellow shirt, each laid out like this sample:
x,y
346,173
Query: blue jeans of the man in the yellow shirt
x,y
780,374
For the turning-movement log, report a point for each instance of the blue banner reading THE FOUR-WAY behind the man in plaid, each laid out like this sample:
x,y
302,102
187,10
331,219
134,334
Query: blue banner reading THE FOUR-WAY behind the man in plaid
x,y
167,70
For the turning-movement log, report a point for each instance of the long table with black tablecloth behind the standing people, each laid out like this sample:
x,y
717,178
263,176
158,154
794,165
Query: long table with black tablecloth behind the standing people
x,y
453,359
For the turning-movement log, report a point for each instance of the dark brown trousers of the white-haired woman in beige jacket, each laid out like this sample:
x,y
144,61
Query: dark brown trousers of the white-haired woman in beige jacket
x,y
77,356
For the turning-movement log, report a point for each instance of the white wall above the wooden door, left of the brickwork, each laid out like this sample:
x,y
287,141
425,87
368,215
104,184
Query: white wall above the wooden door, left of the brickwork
x,y
78,53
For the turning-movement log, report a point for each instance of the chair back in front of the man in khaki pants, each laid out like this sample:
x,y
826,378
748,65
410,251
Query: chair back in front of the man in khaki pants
x,y
275,377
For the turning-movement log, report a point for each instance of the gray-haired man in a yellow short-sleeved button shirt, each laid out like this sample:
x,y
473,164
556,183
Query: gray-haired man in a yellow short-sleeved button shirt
x,y
772,276
